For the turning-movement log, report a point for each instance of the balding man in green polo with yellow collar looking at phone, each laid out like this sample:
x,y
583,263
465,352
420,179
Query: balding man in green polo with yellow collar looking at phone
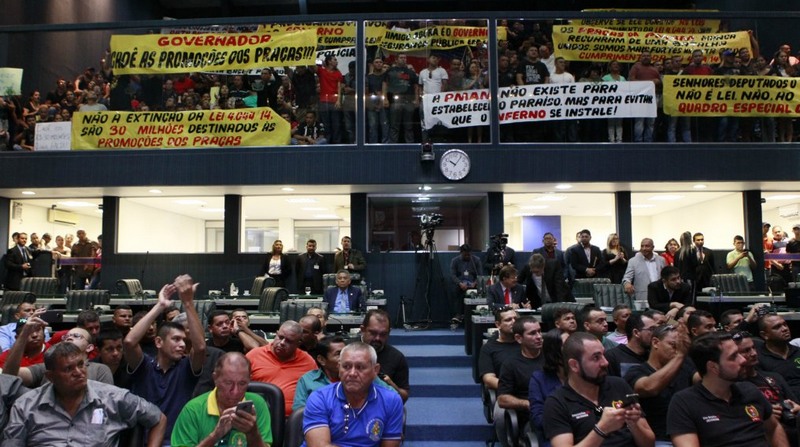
x,y
227,413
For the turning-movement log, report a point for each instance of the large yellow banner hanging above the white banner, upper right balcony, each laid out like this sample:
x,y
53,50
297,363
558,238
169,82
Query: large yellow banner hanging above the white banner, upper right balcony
x,y
588,43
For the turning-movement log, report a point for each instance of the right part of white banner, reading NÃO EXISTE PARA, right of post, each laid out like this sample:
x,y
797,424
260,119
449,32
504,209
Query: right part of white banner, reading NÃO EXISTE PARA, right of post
x,y
580,100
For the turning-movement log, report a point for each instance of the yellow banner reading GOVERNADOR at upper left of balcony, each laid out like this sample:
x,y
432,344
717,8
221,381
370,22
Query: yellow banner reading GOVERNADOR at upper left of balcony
x,y
180,53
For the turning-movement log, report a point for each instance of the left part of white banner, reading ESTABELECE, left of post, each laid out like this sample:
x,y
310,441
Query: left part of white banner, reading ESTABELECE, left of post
x,y
465,108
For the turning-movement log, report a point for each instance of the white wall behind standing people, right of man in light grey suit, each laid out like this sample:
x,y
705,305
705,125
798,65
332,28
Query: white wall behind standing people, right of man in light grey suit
x,y
719,220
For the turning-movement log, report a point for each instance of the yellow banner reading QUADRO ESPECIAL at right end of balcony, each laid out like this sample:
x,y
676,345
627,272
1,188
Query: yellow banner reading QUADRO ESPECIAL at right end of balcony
x,y
739,96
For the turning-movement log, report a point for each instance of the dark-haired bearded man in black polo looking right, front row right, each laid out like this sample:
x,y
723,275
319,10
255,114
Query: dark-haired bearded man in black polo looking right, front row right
x,y
709,413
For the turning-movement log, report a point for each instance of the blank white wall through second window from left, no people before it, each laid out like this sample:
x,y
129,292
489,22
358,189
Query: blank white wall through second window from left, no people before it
x,y
142,229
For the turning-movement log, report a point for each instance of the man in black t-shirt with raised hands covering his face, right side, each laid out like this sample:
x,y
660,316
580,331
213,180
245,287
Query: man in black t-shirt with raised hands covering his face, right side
x,y
666,372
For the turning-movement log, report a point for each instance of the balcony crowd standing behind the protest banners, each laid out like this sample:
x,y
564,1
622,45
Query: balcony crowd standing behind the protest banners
x,y
319,100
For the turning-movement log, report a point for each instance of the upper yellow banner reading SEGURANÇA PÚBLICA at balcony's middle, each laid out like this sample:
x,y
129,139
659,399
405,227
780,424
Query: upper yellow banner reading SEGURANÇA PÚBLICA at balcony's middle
x,y
435,37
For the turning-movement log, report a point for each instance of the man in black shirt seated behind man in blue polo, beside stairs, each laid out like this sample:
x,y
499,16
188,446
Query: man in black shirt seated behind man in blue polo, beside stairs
x,y
393,365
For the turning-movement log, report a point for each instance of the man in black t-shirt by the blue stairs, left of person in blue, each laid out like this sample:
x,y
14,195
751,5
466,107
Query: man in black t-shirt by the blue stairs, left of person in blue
x,y
516,372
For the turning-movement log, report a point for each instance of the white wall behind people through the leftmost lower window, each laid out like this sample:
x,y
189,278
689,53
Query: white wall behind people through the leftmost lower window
x,y
34,220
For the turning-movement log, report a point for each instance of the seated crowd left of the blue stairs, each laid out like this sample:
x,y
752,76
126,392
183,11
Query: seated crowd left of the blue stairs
x,y
187,386
